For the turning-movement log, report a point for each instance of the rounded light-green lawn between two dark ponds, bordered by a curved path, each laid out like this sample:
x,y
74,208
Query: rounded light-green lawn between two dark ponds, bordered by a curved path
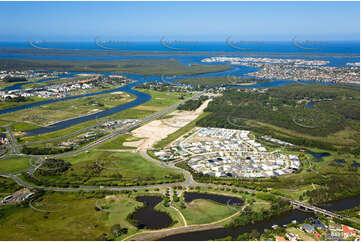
x,y
203,211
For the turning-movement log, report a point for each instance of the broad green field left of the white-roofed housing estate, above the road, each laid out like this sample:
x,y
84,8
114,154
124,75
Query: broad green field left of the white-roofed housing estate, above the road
x,y
114,168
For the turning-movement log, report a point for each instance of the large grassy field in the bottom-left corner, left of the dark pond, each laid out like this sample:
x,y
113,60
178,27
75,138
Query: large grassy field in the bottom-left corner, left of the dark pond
x,y
75,218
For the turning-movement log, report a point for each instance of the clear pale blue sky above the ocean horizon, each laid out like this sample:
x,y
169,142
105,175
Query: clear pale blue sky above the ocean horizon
x,y
179,20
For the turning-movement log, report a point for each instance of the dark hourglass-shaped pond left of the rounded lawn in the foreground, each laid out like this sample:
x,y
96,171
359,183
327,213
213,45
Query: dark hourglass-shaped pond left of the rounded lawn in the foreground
x,y
149,218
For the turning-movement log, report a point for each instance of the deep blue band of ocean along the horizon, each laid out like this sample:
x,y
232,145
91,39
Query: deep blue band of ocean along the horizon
x,y
296,46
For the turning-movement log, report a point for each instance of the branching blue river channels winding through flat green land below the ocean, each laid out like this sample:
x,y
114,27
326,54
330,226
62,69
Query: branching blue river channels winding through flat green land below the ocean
x,y
141,98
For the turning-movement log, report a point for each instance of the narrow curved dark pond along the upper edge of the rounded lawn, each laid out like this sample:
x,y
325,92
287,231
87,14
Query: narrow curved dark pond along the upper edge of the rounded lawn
x,y
228,200
